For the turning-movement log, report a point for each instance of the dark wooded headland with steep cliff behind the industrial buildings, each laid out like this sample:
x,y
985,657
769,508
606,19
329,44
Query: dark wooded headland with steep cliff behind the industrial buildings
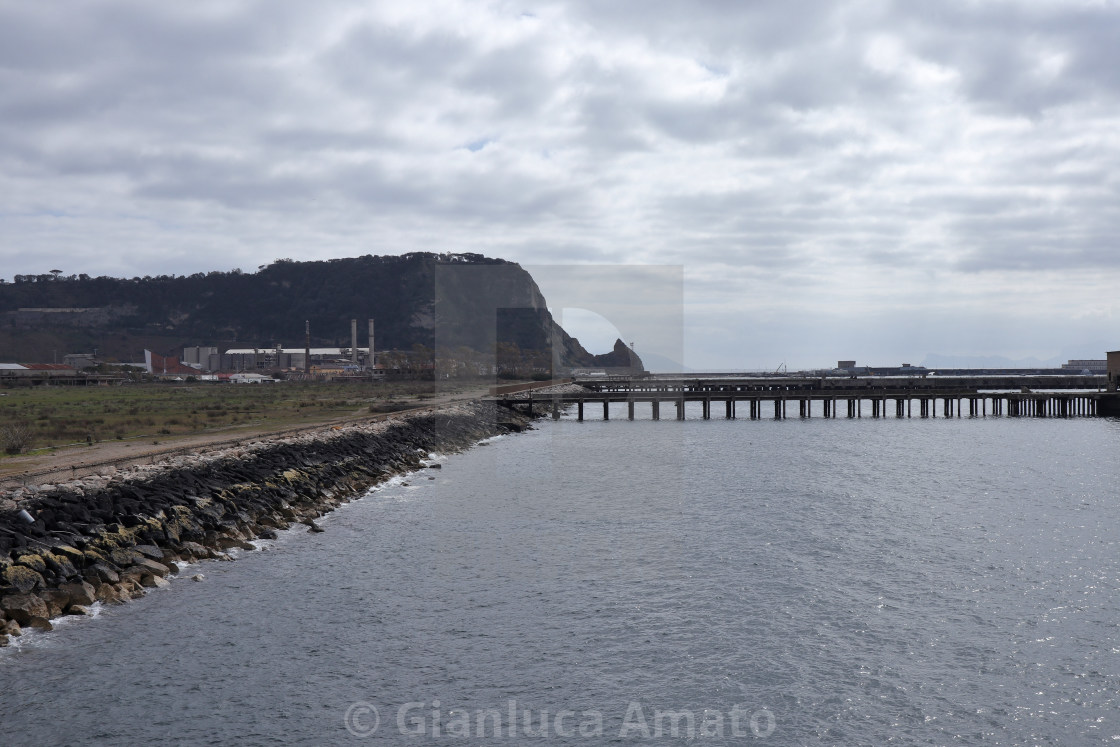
x,y
446,301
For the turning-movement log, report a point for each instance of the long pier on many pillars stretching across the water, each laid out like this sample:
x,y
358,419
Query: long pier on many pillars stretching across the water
x,y
783,398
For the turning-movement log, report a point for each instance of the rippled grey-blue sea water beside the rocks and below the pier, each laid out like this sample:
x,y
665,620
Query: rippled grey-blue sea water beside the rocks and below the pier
x,y
916,582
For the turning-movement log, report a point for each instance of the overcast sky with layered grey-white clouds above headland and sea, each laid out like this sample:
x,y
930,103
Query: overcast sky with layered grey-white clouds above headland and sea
x,y
857,180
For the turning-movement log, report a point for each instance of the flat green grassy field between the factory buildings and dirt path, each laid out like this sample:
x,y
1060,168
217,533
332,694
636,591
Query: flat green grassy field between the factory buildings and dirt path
x,y
53,417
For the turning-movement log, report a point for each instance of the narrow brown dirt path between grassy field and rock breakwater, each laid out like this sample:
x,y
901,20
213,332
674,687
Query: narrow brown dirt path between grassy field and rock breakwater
x,y
77,461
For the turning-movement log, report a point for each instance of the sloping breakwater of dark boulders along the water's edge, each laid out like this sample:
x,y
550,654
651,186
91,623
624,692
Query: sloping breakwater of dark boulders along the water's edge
x,y
110,538
